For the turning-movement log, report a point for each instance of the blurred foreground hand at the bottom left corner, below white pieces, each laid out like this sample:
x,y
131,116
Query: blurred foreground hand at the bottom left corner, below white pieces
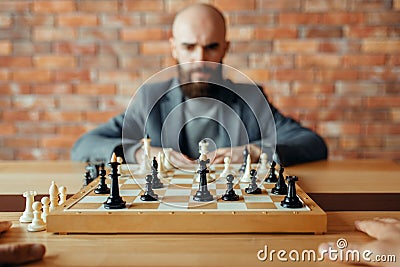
x,y
19,253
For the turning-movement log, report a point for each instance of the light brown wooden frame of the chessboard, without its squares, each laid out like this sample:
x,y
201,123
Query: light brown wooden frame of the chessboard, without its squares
x,y
64,221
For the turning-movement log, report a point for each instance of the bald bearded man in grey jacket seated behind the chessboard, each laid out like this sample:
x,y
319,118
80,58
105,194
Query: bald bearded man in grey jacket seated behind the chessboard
x,y
198,44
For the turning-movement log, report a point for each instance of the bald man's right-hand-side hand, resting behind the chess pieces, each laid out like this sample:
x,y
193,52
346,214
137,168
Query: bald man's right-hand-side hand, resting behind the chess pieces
x,y
235,153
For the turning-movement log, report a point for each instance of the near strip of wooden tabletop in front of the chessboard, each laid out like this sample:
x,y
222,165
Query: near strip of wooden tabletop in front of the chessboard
x,y
183,249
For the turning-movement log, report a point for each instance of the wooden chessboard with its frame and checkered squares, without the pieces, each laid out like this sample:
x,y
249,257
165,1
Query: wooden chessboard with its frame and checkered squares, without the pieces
x,y
175,211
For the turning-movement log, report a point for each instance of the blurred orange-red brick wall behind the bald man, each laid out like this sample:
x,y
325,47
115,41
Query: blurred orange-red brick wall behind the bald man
x,y
66,66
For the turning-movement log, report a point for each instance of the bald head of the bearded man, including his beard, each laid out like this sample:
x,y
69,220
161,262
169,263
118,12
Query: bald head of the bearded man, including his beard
x,y
198,37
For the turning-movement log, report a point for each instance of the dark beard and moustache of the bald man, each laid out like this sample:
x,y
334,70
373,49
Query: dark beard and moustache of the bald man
x,y
192,89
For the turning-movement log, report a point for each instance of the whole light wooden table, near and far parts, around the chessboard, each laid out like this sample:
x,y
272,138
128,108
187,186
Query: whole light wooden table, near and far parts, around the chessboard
x,y
329,179
